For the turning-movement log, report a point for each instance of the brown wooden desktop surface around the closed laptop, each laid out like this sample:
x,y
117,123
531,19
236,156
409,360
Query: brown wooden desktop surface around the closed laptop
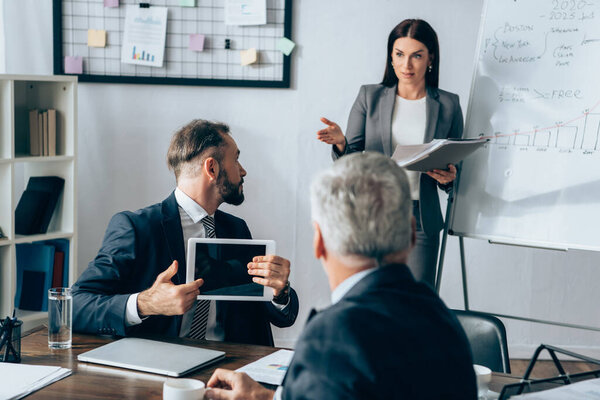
x,y
92,381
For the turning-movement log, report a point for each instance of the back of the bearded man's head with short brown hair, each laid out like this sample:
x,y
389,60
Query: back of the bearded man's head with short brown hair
x,y
198,138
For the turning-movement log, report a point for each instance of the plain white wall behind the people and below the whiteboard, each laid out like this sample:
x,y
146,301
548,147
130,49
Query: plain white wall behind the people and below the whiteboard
x,y
124,131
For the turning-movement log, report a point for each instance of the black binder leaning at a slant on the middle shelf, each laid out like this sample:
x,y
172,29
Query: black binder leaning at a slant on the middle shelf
x,y
37,204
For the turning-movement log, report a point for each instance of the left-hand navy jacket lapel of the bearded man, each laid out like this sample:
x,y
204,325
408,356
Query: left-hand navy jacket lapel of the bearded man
x,y
174,235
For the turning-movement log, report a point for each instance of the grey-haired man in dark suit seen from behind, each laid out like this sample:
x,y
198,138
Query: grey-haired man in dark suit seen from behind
x,y
384,332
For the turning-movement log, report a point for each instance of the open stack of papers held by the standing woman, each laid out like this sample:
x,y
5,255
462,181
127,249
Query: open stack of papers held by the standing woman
x,y
436,154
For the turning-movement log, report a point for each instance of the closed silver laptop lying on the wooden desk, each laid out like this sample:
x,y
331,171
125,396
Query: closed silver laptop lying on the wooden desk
x,y
152,356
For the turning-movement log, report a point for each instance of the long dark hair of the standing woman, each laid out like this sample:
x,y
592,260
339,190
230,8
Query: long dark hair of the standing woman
x,y
423,32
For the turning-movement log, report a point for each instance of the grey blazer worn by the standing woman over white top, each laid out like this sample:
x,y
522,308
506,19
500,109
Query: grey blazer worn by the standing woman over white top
x,y
370,128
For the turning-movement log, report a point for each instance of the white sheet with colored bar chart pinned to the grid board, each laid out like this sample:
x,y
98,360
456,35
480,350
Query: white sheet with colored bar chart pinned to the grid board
x,y
144,36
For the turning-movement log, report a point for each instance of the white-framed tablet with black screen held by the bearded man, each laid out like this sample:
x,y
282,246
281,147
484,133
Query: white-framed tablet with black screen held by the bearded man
x,y
223,264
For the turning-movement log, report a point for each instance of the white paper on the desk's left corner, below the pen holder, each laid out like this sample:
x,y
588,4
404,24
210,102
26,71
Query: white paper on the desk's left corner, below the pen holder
x,y
19,380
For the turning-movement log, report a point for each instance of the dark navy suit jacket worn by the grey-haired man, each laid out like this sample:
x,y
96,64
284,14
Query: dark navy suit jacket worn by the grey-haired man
x,y
389,337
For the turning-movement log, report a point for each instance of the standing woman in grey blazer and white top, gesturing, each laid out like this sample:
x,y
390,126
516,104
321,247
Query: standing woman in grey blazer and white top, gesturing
x,y
407,107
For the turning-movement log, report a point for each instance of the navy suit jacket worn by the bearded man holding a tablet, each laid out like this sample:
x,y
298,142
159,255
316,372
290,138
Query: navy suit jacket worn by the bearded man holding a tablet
x,y
140,245
